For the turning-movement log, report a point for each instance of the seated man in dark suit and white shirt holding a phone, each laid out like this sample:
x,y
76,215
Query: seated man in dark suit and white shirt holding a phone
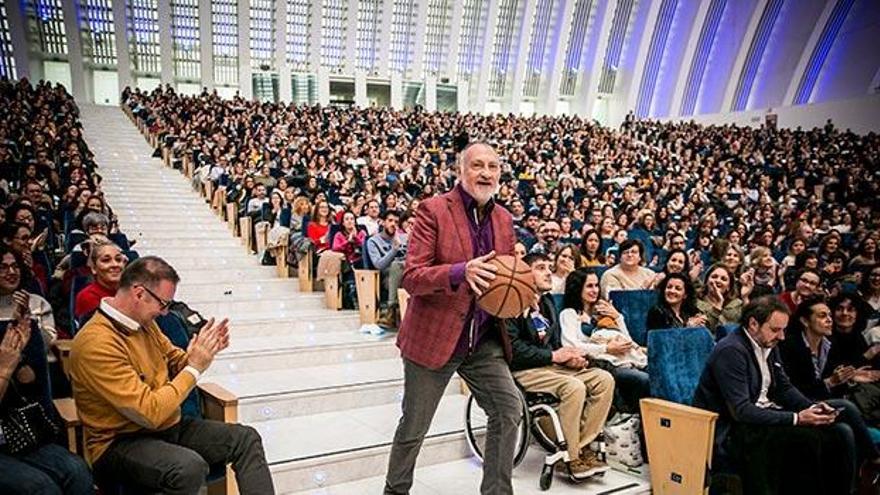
x,y
776,438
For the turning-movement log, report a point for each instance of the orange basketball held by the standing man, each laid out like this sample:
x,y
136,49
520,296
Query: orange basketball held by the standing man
x,y
512,291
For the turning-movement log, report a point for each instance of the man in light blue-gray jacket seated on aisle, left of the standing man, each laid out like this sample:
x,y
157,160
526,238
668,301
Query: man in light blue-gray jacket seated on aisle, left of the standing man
x,y
386,252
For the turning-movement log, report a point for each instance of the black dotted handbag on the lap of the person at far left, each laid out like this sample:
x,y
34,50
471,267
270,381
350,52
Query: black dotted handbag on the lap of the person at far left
x,y
28,427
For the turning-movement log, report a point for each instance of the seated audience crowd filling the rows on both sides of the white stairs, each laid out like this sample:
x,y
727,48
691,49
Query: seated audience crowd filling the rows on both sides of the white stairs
x,y
702,220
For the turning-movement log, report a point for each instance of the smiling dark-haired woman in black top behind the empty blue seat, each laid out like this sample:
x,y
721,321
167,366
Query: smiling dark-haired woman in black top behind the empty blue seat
x,y
676,305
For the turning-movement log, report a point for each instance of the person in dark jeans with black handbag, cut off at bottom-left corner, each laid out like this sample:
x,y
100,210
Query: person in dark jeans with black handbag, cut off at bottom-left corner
x,y
48,467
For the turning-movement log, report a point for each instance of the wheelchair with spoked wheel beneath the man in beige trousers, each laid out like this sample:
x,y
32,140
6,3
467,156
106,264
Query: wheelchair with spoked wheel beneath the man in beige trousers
x,y
538,408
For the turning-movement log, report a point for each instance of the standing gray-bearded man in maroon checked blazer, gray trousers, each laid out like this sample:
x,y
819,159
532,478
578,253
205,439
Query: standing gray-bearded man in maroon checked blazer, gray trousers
x,y
444,332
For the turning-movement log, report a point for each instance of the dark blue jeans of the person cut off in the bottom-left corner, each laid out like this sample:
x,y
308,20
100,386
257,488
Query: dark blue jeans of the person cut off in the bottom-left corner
x,y
49,470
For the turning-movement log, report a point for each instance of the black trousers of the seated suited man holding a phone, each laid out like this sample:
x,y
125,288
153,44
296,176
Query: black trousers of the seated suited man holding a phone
x,y
802,459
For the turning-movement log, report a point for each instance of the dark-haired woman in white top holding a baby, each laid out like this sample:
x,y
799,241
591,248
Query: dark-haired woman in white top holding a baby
x,y
593,325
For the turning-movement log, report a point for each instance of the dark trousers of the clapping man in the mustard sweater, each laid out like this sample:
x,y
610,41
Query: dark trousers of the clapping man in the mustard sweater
x,y
177,460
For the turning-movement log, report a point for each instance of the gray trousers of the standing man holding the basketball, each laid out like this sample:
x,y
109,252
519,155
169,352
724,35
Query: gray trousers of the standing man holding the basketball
x,y
488,377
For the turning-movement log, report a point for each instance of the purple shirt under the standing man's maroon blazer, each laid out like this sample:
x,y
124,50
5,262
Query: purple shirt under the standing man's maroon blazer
x,y
483,242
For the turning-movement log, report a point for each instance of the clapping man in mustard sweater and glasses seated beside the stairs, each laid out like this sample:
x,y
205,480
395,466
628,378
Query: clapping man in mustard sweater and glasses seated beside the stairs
x,y
129,382
